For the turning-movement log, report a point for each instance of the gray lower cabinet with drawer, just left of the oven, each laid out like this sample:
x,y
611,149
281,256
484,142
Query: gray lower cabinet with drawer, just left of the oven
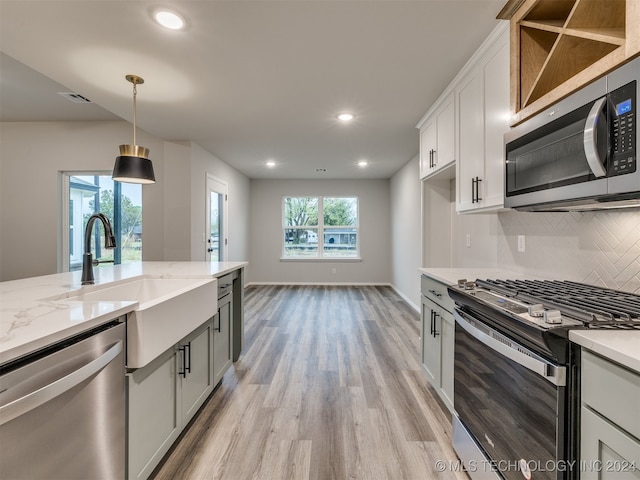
x,y
437,338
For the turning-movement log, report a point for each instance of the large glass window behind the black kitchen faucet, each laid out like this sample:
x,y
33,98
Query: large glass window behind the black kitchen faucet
x,y
90,193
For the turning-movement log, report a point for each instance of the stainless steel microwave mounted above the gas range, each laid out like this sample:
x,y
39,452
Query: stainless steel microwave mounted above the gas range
x,y
580,154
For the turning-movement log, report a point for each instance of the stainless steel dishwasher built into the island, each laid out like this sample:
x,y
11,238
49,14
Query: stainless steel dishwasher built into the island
x,y
62,410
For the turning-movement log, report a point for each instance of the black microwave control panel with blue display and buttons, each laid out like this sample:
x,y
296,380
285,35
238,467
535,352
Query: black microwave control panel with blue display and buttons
x,y
623,130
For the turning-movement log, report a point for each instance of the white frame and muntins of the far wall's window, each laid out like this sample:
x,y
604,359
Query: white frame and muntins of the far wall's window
x,y
320,227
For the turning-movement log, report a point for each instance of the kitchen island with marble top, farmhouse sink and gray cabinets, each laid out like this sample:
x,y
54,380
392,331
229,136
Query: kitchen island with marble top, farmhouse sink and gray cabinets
x,y
184,326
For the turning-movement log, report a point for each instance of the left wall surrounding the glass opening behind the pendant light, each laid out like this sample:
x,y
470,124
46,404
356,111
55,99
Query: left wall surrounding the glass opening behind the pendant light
x,y
31,157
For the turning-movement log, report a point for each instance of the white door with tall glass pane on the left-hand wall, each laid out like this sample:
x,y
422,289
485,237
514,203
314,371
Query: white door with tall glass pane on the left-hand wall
x,y
216,220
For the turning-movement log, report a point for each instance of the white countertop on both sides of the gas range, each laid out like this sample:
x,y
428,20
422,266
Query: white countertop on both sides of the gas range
x,y
621,346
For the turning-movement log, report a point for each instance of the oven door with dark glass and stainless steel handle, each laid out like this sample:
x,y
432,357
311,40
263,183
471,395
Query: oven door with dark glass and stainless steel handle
x,y
511,402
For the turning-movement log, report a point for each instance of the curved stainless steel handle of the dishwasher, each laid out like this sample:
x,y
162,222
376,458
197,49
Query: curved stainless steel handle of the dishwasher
x,y
41,396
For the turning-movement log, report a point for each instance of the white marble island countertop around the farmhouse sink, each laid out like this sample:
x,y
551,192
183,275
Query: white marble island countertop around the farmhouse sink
x,y
31,317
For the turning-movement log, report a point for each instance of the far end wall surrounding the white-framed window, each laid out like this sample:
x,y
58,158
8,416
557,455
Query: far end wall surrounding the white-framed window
x,y
266,233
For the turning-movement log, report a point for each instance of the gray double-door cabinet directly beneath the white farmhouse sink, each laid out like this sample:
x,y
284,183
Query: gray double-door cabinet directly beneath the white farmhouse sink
x,y
164,395
